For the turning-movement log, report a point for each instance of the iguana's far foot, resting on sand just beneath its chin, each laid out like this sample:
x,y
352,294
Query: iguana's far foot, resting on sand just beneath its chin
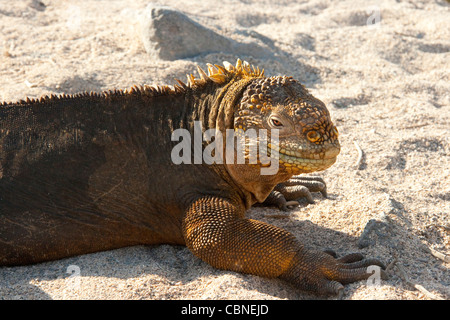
x,y
288,193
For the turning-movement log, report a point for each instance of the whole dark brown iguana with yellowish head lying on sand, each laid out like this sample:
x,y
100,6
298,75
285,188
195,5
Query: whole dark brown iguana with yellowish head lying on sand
x,y
93,171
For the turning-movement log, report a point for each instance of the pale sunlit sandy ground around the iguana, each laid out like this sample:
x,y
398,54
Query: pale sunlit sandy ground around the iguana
x,y
386,85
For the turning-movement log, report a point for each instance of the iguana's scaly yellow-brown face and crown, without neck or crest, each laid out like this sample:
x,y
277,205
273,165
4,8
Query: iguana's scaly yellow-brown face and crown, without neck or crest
x,y
308,139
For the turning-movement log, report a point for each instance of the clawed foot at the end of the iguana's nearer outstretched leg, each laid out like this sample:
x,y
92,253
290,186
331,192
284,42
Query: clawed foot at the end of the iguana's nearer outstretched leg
x,y
322,273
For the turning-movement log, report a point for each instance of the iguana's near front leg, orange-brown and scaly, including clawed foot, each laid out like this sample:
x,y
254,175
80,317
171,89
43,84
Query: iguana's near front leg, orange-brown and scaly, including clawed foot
x,y
216,231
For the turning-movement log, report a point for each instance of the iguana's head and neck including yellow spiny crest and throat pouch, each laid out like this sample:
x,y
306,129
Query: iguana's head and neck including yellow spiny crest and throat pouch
x,y
308,139
